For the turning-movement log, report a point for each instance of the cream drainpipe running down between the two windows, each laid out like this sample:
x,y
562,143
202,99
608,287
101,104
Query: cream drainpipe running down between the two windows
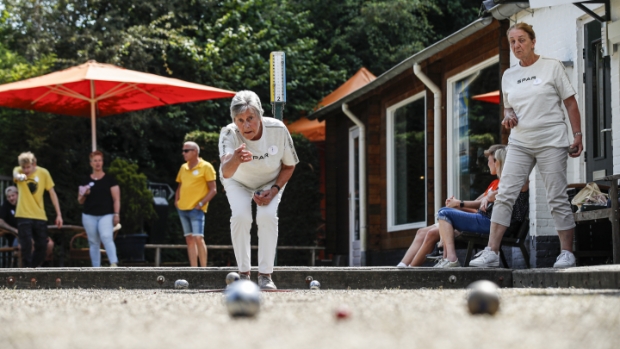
x,y
437,134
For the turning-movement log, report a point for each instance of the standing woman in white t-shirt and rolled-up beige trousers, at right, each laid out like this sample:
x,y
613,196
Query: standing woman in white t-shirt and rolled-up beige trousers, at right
x,y
533,93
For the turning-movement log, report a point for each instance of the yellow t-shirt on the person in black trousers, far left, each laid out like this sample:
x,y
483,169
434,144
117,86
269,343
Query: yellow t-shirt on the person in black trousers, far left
x,y
30,199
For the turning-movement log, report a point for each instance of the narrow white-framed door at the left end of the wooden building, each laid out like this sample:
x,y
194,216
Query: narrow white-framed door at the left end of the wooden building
x,y
355,252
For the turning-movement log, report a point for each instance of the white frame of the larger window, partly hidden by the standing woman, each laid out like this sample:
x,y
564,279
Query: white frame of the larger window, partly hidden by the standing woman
x,y
450,137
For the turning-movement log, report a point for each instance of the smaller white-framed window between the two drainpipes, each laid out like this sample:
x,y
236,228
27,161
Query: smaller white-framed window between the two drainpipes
x,y
406,164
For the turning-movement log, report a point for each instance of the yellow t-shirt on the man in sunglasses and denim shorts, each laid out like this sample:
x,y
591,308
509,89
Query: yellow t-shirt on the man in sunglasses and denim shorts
x,y
194,184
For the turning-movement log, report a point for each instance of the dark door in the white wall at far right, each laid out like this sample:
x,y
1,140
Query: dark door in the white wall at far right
x,y
599,157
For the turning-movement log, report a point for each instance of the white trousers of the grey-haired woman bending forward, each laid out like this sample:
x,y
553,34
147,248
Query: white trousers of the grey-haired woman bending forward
x,y
240,200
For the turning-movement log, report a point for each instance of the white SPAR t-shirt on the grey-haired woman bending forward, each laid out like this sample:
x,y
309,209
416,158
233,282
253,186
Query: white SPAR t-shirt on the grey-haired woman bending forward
x,y
274,148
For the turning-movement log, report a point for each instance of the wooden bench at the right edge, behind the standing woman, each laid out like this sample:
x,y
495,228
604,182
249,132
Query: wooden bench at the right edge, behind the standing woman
x,y
606,213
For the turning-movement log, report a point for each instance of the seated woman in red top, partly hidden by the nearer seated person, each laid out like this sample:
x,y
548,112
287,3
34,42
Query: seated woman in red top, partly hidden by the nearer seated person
x,y
427,237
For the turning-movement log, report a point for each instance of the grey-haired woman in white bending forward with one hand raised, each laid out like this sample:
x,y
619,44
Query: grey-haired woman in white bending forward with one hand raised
x,y
258,158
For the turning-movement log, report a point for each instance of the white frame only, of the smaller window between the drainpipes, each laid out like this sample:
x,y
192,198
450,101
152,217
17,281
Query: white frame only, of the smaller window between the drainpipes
x,y
390,165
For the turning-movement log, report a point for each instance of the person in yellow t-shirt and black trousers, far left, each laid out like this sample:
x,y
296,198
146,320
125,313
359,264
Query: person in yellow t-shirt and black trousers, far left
x,y
32,181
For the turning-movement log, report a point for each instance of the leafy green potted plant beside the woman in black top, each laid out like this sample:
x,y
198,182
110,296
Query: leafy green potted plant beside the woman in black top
x,y
136,207
